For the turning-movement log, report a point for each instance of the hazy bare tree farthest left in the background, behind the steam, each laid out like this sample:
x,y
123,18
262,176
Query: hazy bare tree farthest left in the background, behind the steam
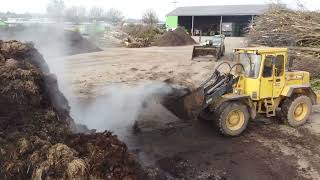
x,y
55,9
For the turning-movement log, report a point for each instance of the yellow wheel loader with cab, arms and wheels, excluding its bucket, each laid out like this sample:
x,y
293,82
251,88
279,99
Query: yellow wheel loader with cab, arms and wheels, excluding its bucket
x,y
259,81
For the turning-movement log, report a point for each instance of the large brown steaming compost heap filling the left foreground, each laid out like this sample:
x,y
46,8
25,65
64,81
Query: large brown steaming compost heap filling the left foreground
x,y
36,139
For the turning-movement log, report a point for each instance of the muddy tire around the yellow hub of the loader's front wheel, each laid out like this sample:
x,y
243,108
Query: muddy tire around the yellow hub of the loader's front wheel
x,y
223,113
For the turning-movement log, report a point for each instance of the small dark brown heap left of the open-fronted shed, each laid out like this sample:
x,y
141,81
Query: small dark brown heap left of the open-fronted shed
x,y
177,37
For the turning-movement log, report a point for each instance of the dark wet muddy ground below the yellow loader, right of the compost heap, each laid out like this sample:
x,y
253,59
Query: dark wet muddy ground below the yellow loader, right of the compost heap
x,y
194,150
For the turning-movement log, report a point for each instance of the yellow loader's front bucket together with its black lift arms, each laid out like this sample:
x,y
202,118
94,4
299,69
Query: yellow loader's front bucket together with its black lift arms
x,y
188,103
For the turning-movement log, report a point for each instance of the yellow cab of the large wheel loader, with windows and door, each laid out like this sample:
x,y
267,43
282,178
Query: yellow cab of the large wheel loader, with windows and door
x,y
263,76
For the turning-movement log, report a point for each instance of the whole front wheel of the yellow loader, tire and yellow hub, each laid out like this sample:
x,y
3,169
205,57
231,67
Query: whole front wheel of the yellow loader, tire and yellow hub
x,y
232,118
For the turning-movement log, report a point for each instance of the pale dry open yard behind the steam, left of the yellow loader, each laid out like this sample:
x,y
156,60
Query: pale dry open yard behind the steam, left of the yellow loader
x,y
121,65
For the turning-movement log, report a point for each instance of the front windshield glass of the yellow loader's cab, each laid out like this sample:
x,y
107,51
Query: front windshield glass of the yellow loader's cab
x,y
251,64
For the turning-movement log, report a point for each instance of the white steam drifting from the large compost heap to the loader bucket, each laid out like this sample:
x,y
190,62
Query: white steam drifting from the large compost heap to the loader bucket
x,y
119,106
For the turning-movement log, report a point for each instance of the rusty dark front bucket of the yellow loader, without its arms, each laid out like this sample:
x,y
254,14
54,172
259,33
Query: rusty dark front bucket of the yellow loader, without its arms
x,y
184,103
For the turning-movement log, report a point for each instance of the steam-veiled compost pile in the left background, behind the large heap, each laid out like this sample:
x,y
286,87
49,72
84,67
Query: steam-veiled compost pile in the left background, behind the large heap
x,y
51,40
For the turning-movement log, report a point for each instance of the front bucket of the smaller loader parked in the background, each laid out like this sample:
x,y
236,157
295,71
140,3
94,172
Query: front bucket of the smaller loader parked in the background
x,y
202,52
